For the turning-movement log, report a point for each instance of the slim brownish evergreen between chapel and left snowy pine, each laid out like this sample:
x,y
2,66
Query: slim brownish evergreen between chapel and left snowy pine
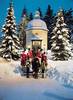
x,y
21,28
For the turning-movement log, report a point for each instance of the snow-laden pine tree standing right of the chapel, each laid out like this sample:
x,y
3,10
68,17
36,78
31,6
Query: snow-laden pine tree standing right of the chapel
x,y
60,40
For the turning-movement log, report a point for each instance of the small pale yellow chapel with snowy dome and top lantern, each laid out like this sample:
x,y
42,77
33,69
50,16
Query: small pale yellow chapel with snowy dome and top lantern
x,y
37,33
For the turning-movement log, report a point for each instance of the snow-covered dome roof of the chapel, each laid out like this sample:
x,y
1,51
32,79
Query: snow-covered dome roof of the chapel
x,y
37,24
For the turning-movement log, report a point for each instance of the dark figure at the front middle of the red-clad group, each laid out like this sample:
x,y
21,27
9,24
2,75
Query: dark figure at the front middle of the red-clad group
x,y
35,66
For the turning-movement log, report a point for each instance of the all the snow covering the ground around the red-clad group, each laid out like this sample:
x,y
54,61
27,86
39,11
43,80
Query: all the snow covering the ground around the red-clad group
x,y
15,87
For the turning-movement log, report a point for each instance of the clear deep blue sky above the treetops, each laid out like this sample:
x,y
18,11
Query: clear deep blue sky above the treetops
x,y
32,6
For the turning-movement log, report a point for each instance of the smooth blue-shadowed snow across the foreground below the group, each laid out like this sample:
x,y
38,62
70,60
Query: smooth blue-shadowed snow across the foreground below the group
x,y
33,89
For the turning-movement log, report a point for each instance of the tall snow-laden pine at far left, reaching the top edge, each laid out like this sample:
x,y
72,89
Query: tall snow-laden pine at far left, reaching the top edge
x,y
10,43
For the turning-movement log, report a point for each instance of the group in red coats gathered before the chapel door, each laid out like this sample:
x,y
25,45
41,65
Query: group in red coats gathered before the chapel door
x,y
36,60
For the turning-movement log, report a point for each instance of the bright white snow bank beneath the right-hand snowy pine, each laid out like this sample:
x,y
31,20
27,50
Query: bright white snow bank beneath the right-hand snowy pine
x,y
62,66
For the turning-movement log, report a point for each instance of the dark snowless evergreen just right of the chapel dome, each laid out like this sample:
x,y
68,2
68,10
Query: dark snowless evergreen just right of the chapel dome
x,y
49,19
